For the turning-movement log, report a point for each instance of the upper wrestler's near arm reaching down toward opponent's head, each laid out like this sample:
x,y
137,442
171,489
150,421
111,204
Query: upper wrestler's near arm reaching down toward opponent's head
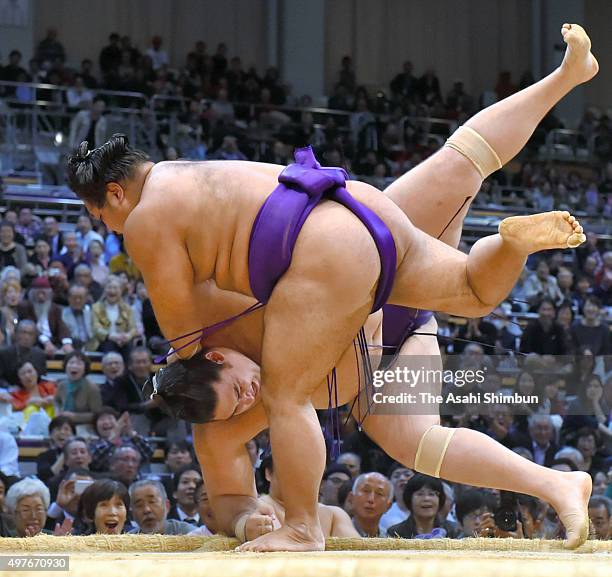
x,y
161,256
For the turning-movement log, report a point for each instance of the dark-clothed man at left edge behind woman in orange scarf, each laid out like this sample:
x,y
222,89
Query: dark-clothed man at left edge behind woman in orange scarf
x,y
23,349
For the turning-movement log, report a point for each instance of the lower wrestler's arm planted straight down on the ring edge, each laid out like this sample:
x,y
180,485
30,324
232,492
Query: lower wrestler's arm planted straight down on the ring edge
x,y
226,465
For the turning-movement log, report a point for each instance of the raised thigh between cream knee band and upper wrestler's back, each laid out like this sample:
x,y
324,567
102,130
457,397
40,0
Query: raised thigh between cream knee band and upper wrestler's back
x,y
433,191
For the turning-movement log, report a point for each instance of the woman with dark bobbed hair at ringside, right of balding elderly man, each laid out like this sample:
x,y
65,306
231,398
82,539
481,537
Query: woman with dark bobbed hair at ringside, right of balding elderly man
x,y
424,496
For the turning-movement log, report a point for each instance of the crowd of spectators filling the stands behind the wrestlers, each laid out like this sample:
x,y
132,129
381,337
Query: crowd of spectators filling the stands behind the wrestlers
x,y
65,295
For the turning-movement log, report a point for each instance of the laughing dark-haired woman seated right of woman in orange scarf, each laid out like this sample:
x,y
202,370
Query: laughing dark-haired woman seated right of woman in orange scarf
x,y
77,397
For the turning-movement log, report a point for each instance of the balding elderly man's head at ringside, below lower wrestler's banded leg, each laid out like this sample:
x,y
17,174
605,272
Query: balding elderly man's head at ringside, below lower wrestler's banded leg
x,y
370,498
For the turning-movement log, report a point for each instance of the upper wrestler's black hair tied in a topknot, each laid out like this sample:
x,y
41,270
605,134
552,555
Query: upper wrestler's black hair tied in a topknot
x,y
89,171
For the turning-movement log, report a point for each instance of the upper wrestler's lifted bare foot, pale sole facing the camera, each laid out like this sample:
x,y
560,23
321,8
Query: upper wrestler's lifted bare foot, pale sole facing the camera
x,y
545,231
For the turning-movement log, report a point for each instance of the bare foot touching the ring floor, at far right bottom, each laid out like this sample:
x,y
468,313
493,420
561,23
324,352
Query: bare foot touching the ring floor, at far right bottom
x,y
571,498
